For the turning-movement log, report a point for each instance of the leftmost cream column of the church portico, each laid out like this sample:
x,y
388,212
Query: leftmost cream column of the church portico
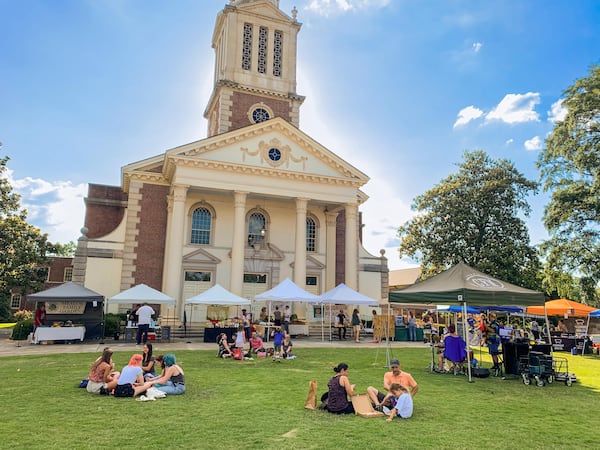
x,y
174,250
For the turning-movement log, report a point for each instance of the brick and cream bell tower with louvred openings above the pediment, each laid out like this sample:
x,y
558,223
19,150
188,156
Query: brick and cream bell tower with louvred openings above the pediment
x,y
255,66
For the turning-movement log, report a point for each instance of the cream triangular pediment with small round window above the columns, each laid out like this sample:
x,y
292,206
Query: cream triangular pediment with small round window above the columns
x,y
271,147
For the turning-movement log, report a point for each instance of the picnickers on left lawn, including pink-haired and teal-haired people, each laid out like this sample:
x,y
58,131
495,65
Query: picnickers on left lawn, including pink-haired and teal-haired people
x,y
139,375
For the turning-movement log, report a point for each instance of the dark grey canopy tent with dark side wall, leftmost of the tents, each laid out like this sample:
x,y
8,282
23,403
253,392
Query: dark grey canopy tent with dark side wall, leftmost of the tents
x,y
75,303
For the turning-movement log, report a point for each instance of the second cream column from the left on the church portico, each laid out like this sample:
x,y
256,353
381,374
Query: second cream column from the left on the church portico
x,y
238,242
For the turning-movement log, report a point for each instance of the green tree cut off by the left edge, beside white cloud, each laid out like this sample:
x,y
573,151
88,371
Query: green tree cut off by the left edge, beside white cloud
x,y
23,260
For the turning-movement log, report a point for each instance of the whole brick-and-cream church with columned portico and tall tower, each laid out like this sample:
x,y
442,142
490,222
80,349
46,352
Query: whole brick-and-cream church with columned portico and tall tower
x,y
255,202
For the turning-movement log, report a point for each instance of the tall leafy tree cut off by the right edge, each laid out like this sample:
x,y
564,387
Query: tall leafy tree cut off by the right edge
x,y
570,169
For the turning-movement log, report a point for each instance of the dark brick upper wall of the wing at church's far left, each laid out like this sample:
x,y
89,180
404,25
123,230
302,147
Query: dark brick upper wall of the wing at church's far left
x,y
104,209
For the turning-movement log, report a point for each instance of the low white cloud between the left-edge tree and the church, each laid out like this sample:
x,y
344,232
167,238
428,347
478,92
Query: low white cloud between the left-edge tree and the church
x,y
55,207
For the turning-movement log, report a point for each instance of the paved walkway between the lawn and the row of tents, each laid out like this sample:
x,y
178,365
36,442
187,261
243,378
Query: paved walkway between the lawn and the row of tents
x,y
12,348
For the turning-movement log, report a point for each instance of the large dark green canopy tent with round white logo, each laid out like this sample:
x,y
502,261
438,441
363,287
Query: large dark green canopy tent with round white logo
x,y
462,284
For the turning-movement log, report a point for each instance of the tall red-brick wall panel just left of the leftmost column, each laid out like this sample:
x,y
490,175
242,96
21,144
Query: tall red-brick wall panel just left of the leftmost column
x,y
152,236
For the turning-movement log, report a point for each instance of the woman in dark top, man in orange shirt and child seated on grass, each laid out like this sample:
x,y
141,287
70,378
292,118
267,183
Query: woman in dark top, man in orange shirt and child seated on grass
x,y
396,399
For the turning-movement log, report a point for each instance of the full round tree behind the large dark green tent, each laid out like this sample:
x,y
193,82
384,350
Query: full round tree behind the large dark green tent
x,y
472,216
